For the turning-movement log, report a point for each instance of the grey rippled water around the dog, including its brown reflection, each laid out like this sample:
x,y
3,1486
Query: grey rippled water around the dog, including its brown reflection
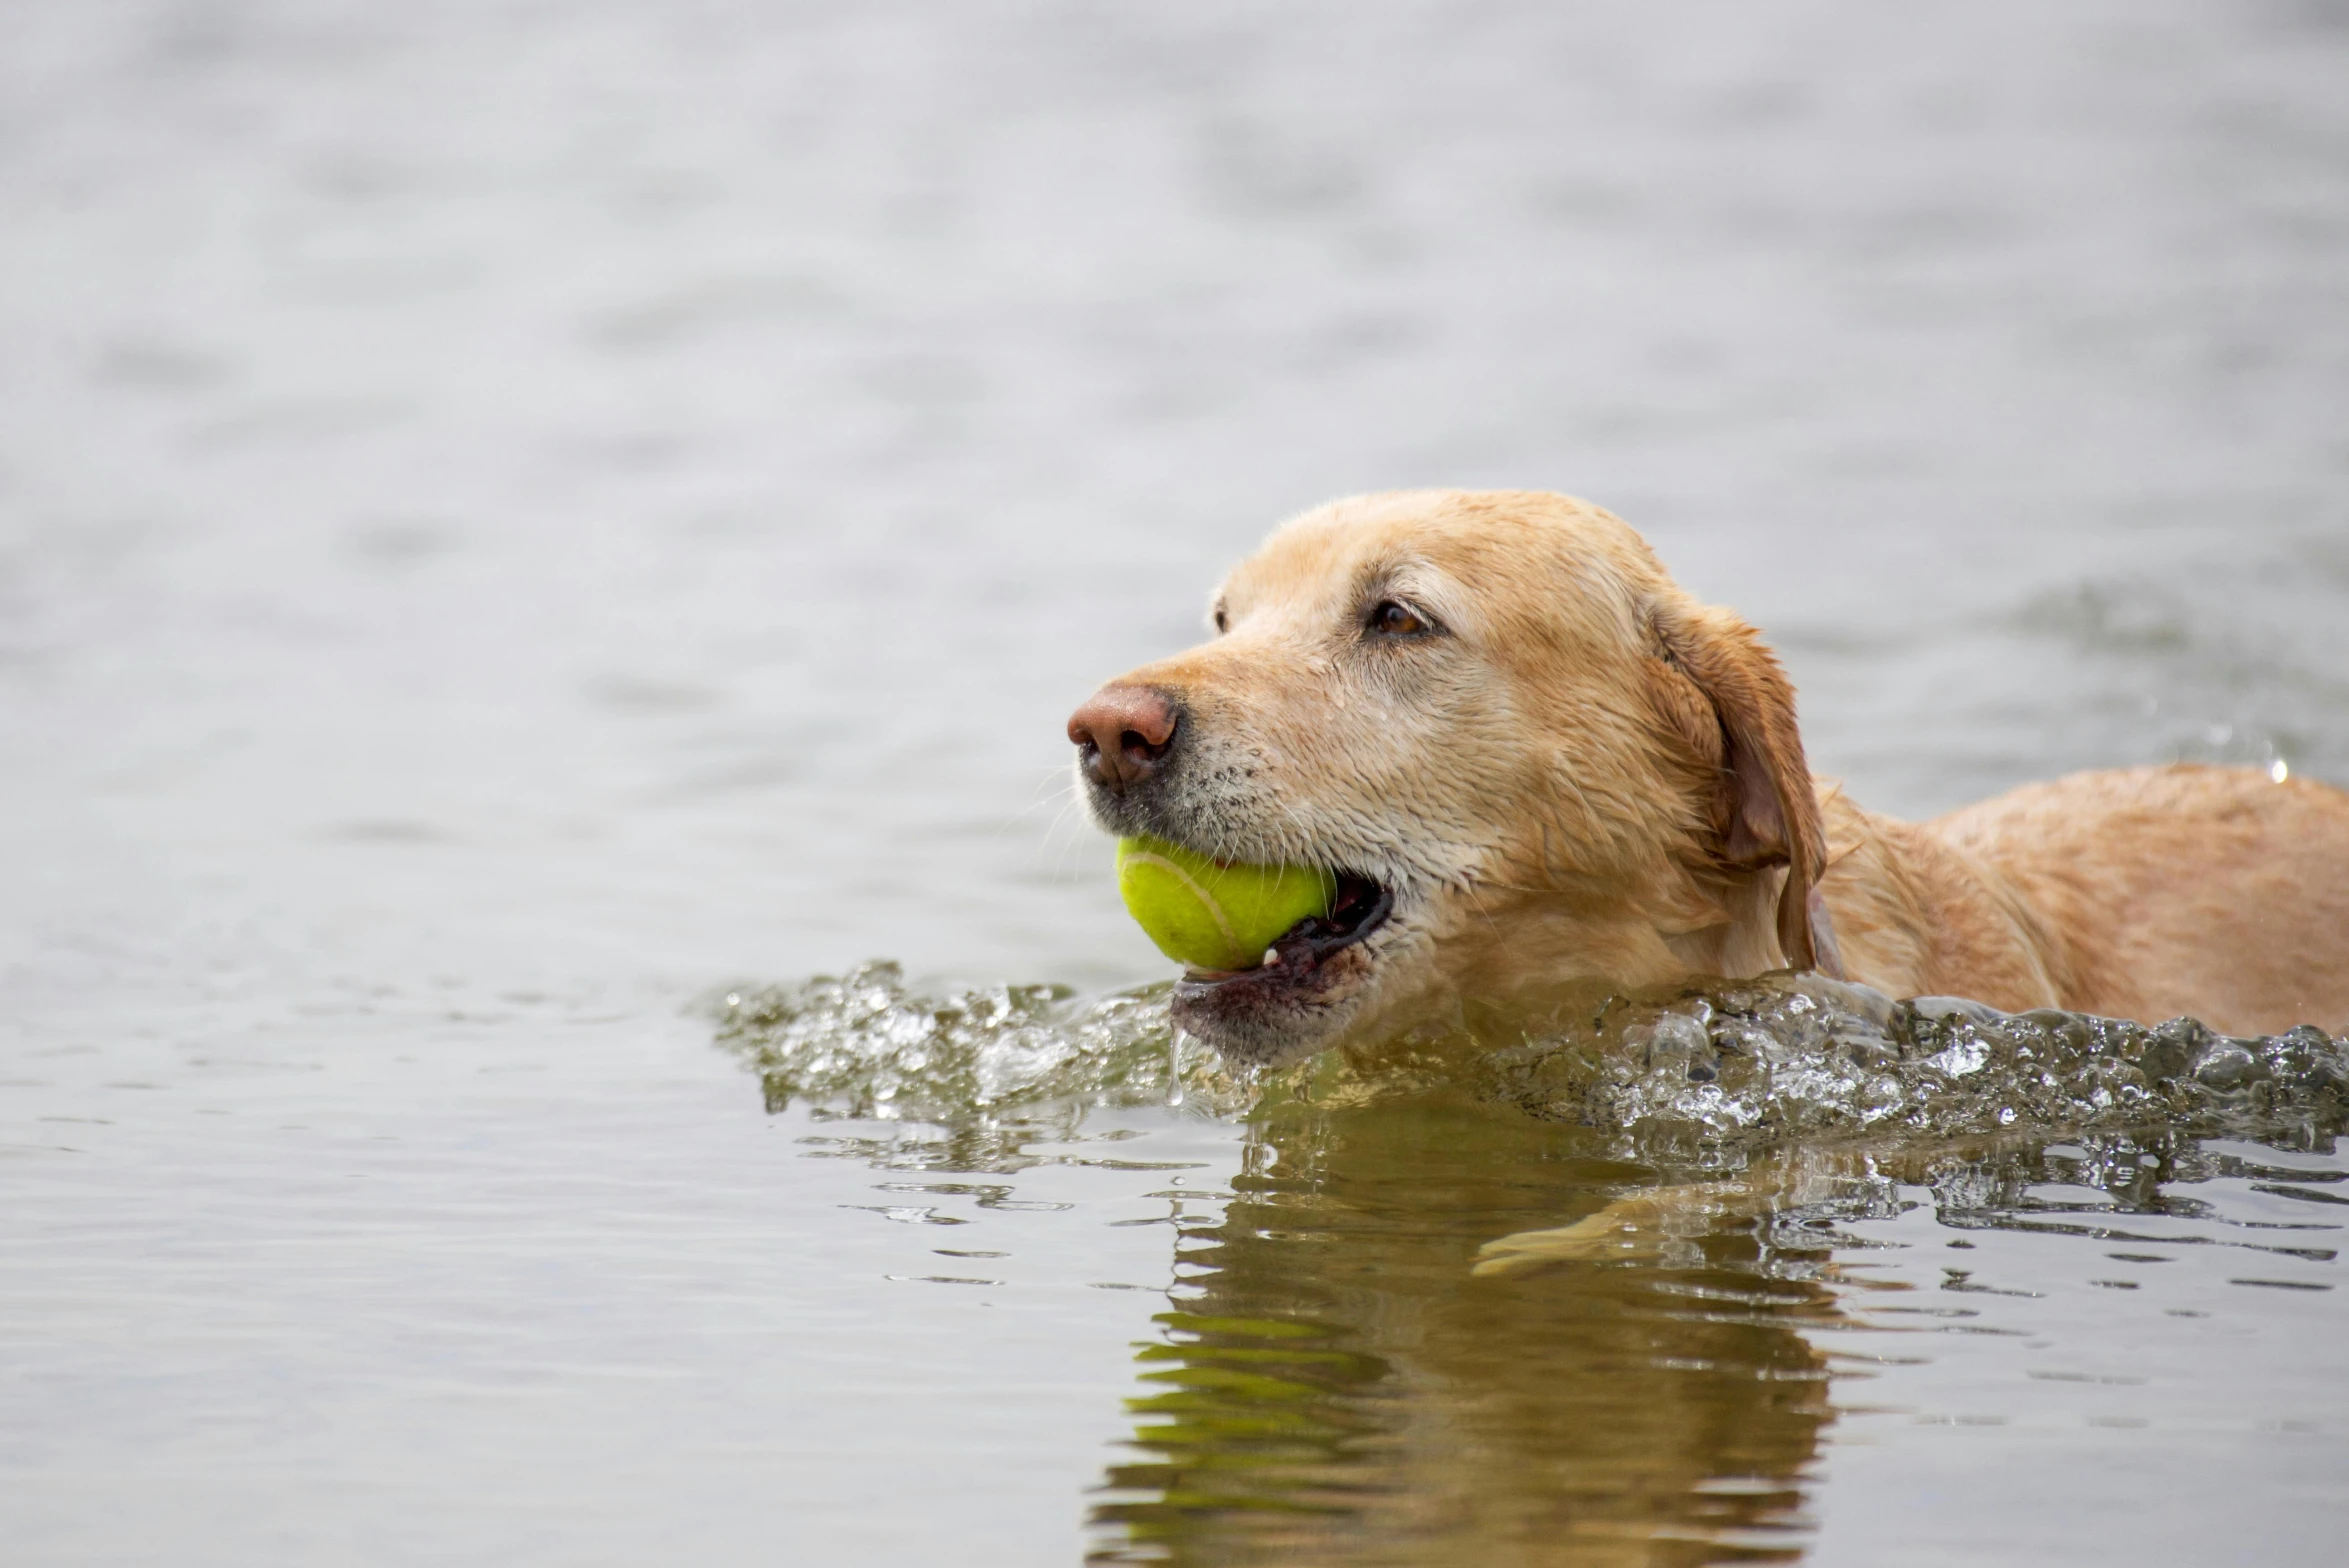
x,y
516,520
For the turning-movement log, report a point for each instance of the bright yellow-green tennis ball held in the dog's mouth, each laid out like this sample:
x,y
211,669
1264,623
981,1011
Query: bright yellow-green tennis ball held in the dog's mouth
x,y
1209,914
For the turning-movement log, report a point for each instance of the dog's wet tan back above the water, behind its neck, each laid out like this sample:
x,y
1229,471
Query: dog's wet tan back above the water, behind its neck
x,y
2214,893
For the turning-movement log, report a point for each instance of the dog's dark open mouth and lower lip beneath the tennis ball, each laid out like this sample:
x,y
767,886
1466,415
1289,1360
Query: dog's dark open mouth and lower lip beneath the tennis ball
x,y
1263,1015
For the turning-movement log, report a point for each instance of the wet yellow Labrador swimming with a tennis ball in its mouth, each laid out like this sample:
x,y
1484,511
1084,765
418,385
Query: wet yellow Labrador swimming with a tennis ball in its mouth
x,y
1535,762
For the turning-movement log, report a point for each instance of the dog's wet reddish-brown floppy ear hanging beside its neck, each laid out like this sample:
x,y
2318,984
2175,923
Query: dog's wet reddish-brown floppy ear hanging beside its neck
x,y
1742,719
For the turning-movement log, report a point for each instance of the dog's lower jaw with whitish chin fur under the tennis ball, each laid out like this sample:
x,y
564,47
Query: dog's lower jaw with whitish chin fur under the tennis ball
x,y
1317,989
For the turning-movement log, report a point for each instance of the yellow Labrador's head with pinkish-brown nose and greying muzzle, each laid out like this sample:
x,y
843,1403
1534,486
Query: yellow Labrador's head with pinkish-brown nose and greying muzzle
x,y
1526,752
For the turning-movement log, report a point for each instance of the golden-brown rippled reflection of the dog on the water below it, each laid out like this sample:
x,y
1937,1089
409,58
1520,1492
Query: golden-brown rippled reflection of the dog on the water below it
x,y
1338,1388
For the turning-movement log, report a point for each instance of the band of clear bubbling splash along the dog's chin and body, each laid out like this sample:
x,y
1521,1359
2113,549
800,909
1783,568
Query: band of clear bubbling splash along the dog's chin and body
x,y
1723,1065
